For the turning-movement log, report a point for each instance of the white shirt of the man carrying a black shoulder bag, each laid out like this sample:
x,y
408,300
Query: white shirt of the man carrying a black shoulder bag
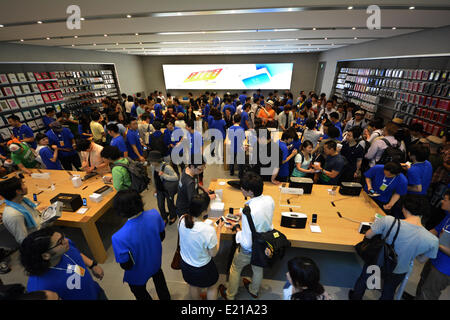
x,y
262,208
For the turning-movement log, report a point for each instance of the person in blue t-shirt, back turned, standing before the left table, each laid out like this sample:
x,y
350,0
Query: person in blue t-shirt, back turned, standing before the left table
x,y
137,245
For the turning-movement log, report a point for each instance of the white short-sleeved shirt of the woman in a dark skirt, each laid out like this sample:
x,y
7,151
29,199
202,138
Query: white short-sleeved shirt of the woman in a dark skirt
x,y
195,243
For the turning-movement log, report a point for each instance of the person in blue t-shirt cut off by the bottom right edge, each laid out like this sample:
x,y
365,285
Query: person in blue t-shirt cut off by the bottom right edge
x,y
435,276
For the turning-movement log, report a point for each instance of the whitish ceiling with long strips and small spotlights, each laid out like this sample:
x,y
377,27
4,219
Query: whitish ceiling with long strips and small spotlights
x,y
213,26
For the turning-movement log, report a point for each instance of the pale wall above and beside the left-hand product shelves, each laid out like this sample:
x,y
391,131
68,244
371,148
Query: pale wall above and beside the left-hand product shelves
x,y
129,68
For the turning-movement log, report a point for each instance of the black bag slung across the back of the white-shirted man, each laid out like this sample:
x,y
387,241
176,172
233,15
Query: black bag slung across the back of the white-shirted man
x,y
275,241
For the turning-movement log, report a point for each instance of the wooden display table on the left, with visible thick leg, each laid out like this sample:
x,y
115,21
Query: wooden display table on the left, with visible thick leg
x,y
86,222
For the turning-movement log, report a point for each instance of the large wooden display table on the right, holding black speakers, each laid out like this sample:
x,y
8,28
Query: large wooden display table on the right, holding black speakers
x,y
337,234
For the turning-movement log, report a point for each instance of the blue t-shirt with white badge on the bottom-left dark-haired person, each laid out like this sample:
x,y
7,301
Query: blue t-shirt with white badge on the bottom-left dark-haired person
x,y
57,279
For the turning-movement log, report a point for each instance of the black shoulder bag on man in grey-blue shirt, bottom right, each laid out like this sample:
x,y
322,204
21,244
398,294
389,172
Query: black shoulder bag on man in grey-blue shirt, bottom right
x,y
376,251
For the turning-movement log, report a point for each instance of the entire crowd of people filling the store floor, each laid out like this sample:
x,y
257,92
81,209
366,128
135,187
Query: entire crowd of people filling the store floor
x,y
404,170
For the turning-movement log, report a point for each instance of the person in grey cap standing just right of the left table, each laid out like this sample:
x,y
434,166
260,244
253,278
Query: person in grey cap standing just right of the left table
x,y
165,181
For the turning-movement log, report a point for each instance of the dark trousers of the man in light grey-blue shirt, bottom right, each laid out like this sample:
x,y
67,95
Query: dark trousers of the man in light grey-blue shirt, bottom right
x,y
391,282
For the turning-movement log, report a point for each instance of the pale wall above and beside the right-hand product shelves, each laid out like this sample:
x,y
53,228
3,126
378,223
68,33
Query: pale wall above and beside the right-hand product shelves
x,y
435,41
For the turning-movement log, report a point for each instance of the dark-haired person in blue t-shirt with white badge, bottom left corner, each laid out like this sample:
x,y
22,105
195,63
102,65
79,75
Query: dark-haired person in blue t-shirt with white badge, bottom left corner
x,y
54,263
